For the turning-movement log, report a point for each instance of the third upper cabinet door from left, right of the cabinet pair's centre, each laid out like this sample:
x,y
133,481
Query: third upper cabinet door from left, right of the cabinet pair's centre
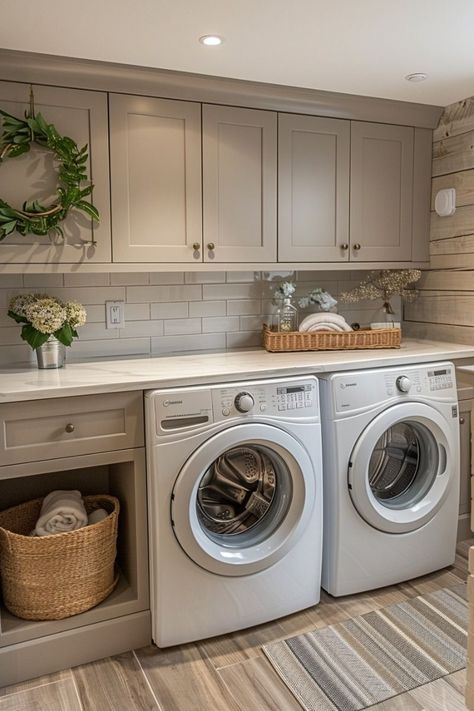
x,y
239,184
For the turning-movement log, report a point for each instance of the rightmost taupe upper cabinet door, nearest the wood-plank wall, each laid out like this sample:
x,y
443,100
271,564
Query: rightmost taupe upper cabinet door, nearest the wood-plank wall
x,y
381,192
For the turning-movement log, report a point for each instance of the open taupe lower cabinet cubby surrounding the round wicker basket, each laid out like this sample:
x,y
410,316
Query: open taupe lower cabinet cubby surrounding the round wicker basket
x,y
122,621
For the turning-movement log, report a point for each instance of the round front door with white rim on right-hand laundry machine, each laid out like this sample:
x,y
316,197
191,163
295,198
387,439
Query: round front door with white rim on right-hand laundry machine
x,y
401,468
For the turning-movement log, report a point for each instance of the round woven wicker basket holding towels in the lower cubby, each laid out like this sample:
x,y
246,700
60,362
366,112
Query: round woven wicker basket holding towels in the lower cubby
x,y
53,577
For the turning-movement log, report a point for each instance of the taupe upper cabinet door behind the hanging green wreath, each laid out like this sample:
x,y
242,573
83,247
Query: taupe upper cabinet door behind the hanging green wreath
x,y
82,115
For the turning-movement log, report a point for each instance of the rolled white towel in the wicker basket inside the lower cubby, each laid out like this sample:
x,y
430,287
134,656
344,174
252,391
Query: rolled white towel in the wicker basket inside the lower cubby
x,y
61,511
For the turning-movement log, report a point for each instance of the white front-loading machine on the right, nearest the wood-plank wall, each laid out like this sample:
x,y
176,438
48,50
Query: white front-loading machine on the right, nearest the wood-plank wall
x,y
391,475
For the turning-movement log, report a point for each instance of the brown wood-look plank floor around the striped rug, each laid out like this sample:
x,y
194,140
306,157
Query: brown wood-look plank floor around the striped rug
x,y
228,673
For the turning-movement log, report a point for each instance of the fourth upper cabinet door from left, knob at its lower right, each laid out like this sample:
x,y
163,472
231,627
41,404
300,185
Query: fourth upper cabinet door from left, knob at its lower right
x,y
313,189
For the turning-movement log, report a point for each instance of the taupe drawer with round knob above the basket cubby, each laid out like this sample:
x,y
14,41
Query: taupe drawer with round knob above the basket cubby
x,y
61,427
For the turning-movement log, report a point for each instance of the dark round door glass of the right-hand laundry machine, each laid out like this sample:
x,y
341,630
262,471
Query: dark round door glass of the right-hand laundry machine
x,y
403,465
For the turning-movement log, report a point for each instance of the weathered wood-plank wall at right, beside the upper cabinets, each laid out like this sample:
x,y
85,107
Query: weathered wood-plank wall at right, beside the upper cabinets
x,y
445,307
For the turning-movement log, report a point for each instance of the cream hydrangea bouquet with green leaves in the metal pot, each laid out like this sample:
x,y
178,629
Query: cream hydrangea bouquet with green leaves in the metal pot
x,y
44,316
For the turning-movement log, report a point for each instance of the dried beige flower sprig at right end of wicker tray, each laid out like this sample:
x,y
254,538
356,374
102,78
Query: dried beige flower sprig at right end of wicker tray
x,y
384,285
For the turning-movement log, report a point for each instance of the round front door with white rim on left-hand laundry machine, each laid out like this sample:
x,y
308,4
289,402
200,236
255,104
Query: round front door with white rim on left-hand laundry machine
x,y
243,499
